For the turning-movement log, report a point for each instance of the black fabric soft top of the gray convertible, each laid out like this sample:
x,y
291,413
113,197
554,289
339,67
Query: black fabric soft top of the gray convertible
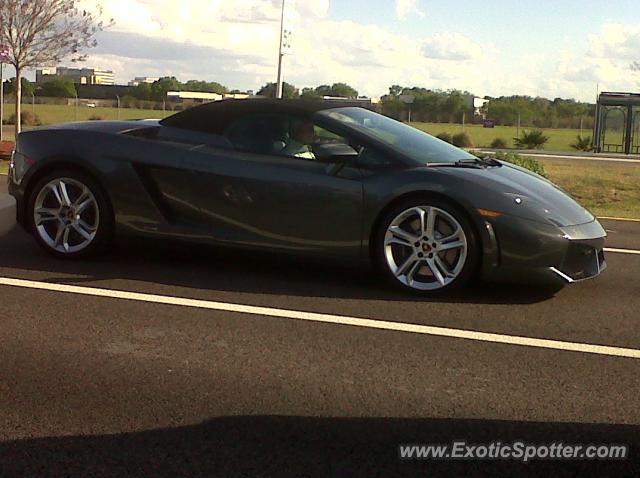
x,y
216,116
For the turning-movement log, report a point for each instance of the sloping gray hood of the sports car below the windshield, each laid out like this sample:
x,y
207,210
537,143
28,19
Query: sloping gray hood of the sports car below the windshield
x,y
523,193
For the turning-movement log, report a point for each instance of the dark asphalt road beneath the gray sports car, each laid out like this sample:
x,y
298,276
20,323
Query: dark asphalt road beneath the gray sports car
x,y
99,386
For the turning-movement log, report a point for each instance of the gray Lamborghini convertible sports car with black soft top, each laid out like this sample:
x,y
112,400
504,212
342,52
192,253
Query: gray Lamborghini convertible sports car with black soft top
x,y
311,178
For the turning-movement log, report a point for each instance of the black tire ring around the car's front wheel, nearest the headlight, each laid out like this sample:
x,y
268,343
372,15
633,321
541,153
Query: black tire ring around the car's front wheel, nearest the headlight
x,y
471,262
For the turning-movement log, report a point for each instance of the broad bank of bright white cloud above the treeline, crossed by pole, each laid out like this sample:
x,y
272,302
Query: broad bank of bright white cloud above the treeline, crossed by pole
x,y
236,43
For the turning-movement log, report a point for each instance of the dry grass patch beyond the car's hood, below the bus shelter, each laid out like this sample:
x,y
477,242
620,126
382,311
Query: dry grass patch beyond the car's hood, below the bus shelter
x,y
606,189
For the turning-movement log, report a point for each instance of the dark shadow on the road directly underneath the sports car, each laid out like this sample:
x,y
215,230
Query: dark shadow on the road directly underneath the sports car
x,y
241,271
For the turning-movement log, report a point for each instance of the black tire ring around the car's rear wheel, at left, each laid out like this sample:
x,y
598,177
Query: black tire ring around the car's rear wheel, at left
x,y
104,232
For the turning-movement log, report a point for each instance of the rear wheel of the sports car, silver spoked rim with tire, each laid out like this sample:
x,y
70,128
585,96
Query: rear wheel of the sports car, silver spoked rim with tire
x,y
71,218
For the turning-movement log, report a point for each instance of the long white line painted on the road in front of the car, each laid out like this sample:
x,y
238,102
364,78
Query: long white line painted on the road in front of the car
x,y
329,319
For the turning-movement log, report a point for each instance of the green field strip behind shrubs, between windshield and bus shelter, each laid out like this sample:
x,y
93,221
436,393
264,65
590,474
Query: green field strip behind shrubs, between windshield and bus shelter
x,y
559,139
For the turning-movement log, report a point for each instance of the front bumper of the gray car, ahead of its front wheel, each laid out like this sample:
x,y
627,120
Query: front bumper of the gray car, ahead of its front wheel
x,y
529,252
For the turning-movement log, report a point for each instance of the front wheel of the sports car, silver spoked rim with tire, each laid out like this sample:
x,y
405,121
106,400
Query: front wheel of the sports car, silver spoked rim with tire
x,y
427,247
